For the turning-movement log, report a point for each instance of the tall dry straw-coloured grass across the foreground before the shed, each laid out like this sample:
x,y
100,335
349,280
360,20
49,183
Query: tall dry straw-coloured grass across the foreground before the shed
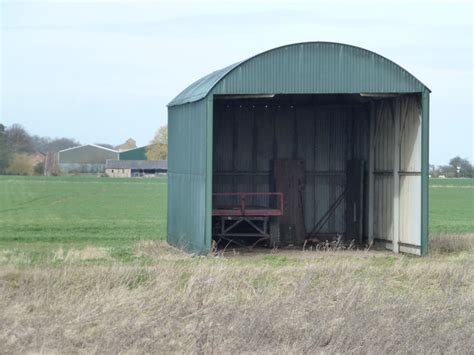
x,y
317,302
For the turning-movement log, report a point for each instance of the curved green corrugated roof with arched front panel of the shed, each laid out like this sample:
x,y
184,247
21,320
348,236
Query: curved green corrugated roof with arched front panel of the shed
x,y
310,67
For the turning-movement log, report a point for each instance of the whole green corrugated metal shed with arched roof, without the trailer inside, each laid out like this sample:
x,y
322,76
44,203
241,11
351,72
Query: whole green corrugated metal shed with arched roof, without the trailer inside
x,y
221,140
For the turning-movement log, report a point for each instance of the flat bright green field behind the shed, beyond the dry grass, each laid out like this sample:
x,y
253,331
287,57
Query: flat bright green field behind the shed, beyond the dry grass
x,y
41,214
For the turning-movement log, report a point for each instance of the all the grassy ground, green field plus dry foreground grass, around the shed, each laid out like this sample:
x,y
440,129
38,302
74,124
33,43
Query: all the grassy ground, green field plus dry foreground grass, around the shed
x,y
84,269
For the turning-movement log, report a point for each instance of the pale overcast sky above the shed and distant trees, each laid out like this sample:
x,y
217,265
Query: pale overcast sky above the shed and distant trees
x,y
103,71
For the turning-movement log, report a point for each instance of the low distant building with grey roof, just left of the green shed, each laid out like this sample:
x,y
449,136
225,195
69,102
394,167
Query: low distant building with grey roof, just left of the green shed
x,y
135,168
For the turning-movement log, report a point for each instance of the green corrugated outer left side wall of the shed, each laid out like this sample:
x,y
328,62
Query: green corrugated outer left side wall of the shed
x,y
187,175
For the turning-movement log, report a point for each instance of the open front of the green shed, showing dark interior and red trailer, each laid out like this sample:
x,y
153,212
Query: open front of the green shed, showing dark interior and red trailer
x,y
292,168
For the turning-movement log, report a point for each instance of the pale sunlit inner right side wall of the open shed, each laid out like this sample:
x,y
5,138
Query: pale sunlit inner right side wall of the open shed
x,y
407,110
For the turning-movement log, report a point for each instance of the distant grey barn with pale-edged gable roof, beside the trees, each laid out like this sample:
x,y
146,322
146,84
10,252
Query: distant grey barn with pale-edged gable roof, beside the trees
x,y
89,158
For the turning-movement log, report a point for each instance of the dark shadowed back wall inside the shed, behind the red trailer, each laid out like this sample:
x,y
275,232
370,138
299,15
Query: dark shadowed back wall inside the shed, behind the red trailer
x,y
324,134
